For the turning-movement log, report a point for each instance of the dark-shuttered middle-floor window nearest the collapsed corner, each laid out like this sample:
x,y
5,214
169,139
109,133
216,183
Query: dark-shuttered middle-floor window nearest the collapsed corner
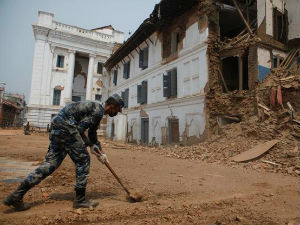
x,y
170,83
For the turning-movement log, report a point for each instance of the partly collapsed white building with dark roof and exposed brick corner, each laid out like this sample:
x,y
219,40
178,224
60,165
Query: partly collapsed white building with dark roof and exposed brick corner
x,y
195,65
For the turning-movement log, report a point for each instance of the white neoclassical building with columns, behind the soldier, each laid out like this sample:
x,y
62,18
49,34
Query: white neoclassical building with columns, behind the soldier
x,y
67,66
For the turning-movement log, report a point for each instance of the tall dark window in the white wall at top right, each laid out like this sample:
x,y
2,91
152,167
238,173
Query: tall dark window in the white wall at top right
x,y
280,25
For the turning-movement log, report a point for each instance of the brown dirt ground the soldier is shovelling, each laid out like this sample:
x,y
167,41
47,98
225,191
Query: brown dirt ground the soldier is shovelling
x,y
178,191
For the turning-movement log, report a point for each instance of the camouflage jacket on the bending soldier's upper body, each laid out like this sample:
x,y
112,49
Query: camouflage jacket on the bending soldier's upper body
x,y
77,117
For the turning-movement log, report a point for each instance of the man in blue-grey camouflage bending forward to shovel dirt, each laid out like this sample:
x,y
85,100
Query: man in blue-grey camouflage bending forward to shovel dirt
x,y
67,137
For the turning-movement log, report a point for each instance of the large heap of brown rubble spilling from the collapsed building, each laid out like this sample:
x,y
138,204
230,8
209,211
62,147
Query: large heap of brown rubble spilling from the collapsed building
x,y
261,119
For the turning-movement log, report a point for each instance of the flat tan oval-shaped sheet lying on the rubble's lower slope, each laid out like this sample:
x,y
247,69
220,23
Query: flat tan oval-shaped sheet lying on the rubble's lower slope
x,y
254,152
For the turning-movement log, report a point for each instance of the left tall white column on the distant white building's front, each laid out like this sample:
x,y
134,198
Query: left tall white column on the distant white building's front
x,y
70,75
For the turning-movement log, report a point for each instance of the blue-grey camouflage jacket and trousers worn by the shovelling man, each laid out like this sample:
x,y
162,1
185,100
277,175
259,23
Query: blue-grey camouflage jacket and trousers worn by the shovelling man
x,y
67,137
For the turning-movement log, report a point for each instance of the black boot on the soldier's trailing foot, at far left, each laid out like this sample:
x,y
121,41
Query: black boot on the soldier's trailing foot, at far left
x,y
15,199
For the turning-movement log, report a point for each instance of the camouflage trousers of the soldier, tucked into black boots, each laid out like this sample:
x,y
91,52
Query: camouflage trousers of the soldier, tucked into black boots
x,y
62,144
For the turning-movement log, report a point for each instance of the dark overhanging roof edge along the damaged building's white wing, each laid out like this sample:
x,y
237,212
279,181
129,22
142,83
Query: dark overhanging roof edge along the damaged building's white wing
x,y
162,15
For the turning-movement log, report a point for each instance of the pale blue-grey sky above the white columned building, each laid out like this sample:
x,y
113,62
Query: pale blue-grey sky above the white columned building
x,y
16,35
